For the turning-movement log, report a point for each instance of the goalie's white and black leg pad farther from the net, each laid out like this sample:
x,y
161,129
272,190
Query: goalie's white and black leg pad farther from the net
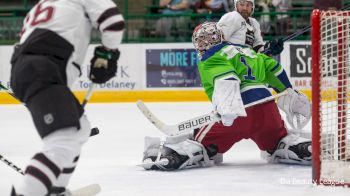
x,y
165,156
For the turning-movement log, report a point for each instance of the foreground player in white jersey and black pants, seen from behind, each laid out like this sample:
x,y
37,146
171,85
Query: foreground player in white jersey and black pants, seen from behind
x,y
54,39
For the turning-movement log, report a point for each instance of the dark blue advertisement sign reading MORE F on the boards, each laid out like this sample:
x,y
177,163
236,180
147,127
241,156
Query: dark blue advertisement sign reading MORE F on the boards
x,y
172,68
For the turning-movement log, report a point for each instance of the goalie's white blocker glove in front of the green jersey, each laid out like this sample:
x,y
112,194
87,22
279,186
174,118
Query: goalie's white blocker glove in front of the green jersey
x,y
227,100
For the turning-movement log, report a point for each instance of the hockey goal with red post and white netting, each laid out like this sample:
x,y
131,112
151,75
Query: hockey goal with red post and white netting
x,y
330,97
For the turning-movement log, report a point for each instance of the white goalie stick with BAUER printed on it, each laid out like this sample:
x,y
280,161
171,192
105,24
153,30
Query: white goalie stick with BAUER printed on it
x,y
188,126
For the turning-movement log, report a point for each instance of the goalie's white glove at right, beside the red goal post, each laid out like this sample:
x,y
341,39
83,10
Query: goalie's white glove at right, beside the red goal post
x,y
297,108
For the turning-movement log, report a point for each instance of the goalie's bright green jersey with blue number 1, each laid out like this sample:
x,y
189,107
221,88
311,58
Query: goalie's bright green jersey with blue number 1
x,y
256,72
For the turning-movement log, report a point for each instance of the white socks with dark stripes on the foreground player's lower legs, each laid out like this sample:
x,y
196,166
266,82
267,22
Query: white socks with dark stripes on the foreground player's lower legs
x,y
54,165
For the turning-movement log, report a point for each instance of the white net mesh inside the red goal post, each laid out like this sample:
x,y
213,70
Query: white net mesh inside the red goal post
x,y
335,89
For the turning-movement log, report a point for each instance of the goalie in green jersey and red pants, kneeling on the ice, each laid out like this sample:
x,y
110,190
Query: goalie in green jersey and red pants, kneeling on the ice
x,y
233,76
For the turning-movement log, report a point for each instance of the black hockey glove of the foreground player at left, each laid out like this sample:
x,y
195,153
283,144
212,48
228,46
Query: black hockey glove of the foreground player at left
x,y
103,64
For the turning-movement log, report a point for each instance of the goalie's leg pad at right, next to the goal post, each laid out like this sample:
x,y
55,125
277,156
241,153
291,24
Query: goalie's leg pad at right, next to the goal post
x,y
292,149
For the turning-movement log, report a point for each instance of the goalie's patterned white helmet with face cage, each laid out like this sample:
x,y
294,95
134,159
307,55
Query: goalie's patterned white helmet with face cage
x,y
205,36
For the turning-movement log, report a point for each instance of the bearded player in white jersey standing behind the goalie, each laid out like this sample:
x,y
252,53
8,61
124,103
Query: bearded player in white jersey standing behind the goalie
x,y
240,28
